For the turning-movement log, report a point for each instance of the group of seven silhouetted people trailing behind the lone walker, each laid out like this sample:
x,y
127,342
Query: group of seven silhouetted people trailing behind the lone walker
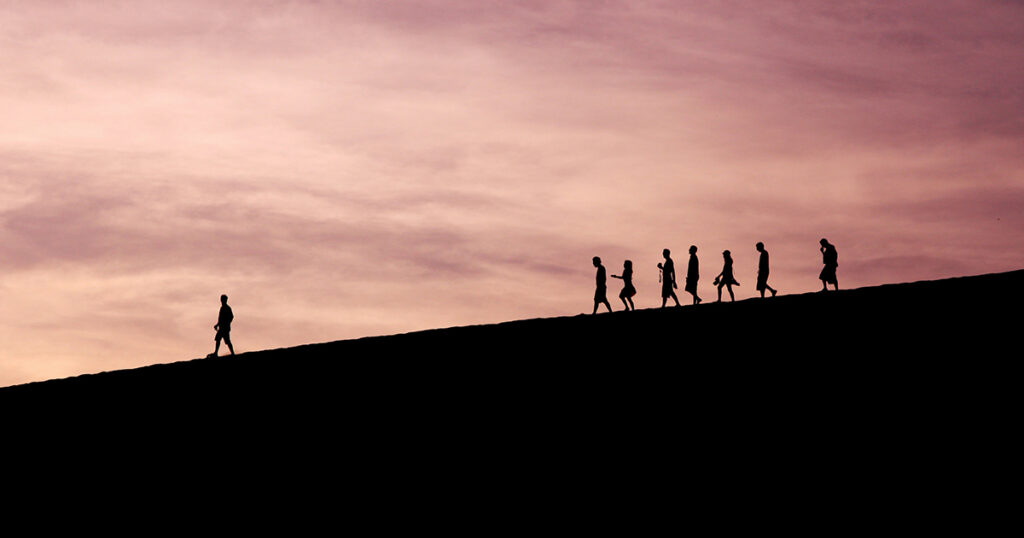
x,y
726,279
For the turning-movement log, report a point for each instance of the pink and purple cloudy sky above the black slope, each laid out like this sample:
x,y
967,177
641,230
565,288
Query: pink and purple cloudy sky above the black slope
x,y
344,170
